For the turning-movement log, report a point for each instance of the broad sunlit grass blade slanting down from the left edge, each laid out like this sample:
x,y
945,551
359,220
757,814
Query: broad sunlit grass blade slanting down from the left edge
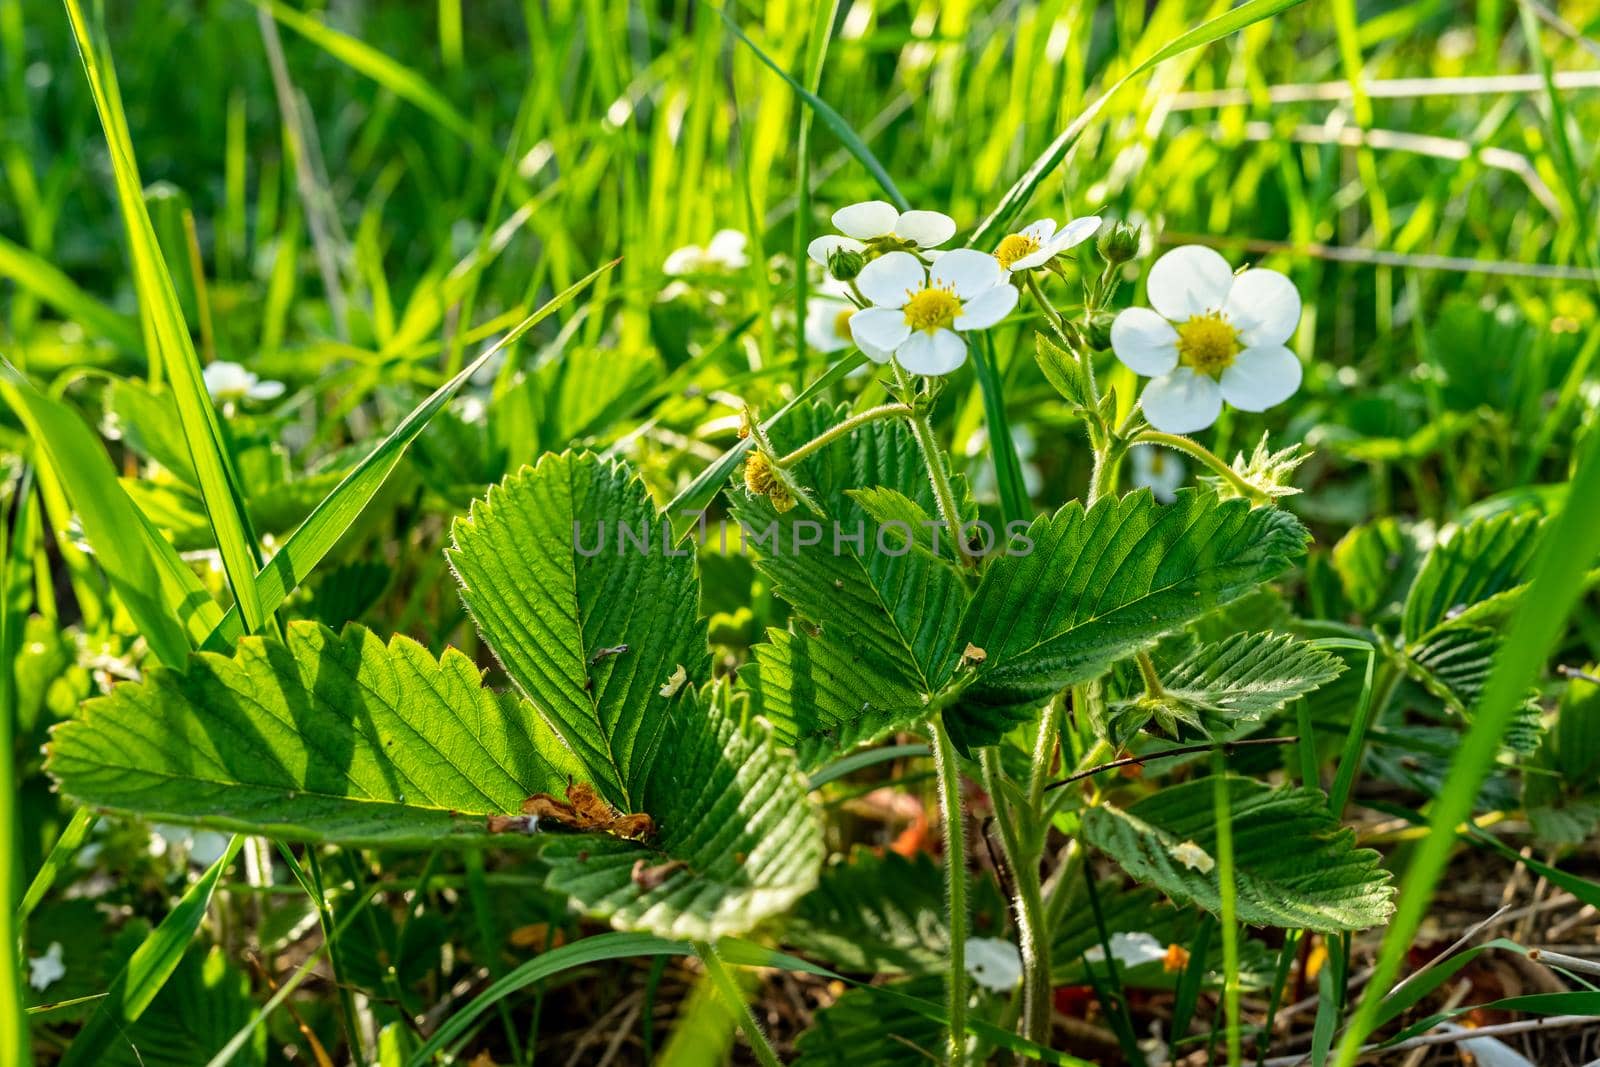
x,y
161,593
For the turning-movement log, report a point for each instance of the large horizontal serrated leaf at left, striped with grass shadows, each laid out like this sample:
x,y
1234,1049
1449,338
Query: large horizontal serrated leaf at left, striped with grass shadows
x,y
326,738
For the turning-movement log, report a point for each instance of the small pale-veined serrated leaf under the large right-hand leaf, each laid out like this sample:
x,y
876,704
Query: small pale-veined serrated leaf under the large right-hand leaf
x,y
1222,687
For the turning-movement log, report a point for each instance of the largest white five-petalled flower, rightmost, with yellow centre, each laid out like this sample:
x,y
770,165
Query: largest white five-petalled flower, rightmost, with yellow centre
x,y
1214,337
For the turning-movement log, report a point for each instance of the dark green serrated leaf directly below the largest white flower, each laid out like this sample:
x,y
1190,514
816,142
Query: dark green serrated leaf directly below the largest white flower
x,y
1103,585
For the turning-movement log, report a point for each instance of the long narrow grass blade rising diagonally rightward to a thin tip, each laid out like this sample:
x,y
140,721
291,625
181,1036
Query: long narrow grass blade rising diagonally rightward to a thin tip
x,y
314,538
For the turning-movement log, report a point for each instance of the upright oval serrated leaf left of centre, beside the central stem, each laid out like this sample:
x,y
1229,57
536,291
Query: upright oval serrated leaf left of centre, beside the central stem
x,y
586,623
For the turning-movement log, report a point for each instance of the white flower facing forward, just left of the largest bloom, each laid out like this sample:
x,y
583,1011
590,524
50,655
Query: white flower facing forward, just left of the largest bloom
x,y
919,313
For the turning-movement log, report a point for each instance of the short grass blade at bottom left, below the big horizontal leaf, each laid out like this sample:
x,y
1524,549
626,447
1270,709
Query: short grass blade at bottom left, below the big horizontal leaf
x,y
153,964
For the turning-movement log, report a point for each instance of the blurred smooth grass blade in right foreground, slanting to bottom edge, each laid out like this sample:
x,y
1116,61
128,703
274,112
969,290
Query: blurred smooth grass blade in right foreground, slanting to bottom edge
x,y
1566,556
